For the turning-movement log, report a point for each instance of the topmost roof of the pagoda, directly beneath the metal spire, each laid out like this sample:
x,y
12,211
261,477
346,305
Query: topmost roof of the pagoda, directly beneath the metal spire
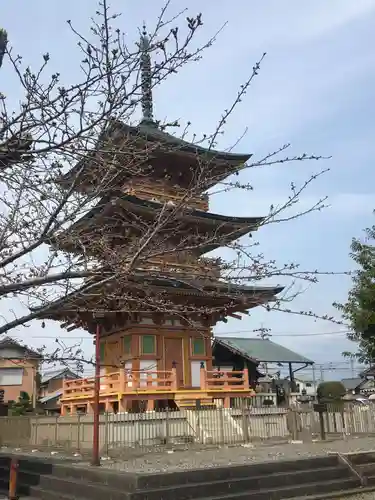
x,y
148,141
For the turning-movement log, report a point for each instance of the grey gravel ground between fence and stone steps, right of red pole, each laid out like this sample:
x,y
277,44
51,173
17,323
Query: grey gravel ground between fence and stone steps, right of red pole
x,y
193,459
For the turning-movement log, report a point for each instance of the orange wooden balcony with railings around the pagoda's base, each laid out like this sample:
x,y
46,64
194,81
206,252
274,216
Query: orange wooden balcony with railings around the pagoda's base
x,y
124,386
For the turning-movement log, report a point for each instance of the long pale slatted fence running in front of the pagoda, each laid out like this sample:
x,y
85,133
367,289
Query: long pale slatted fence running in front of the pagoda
x,y
188,428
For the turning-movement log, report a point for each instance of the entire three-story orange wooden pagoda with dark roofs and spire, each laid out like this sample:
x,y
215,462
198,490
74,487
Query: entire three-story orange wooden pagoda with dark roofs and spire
x,y
156,322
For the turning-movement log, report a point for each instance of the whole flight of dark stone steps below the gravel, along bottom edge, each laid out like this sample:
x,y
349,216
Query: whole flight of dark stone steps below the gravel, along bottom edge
x,y
47,480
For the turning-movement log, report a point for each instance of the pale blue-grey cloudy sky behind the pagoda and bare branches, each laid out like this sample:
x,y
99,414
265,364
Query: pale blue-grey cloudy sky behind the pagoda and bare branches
x,y
315,90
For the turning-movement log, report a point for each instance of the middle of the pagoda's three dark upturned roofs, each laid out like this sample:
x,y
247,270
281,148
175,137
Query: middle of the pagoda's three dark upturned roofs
x,y
212,230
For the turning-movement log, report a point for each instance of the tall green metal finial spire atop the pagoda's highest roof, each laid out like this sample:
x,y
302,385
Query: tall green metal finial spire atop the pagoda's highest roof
x,y
146,78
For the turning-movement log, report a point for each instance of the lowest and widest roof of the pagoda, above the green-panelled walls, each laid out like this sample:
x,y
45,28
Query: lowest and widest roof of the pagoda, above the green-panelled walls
x,y
195,295
